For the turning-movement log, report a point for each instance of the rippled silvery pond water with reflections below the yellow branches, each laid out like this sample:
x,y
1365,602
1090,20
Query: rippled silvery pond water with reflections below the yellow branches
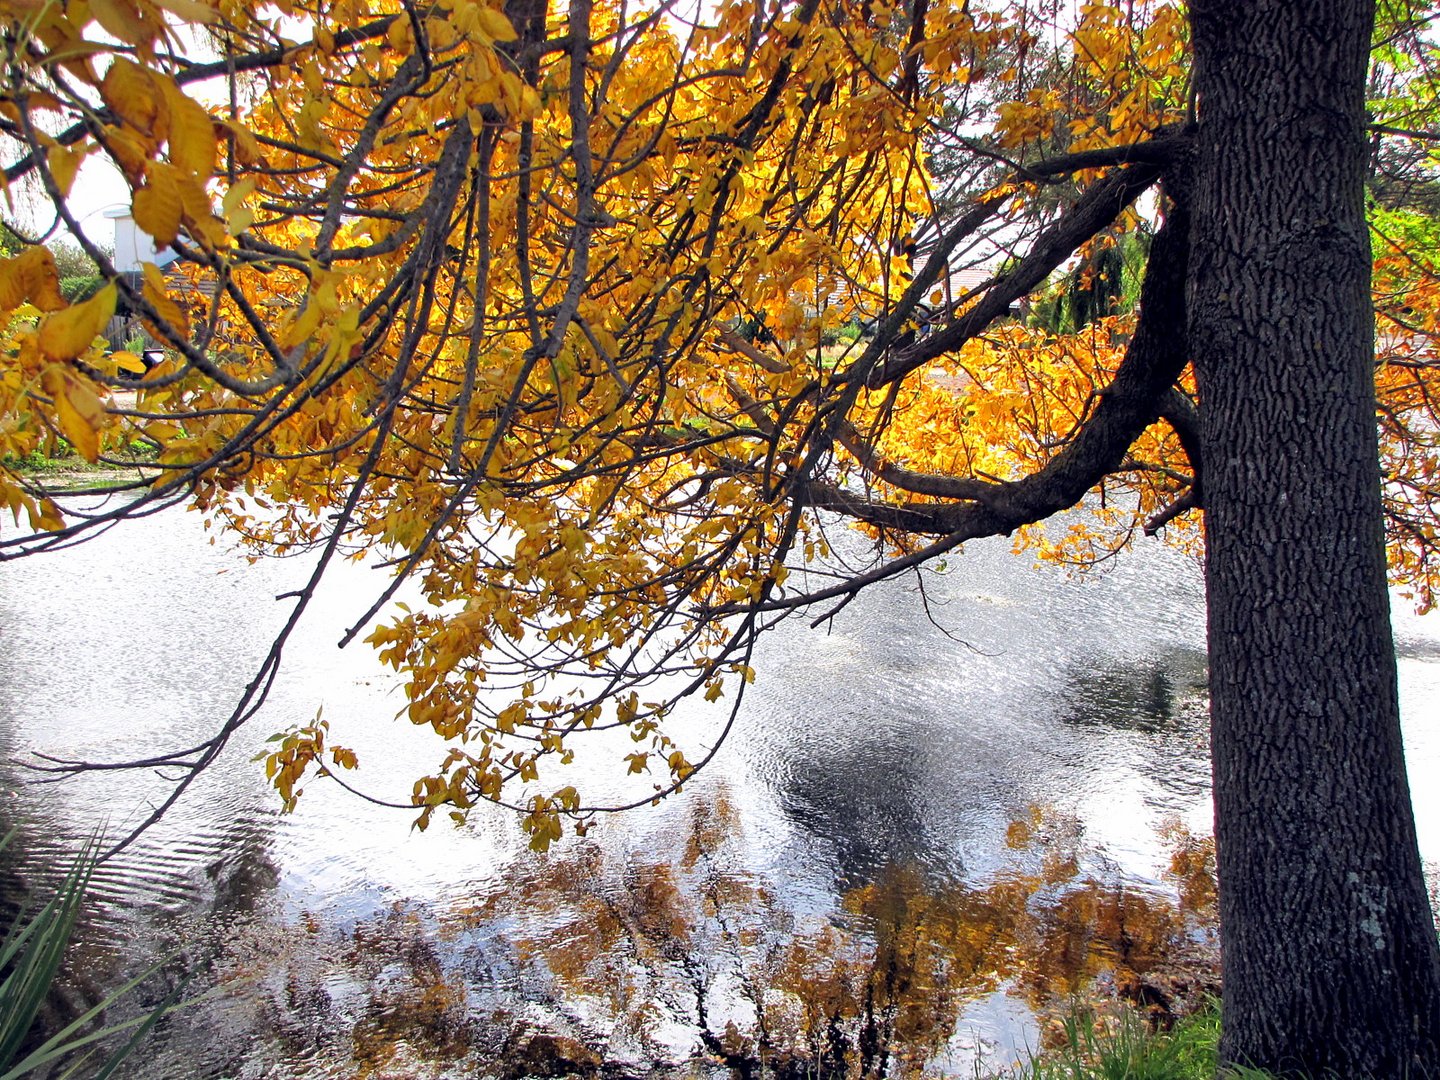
x,y
925,834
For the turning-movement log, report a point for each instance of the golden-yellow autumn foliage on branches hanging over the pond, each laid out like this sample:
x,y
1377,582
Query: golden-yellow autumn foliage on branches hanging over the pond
x,y
539,303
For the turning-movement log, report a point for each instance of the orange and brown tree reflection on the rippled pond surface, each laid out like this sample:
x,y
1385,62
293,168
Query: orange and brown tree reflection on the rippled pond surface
x,y
584,958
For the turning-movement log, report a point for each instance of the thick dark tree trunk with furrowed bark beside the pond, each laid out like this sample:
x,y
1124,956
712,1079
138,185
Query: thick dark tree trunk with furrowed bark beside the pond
x,y
1330,951
